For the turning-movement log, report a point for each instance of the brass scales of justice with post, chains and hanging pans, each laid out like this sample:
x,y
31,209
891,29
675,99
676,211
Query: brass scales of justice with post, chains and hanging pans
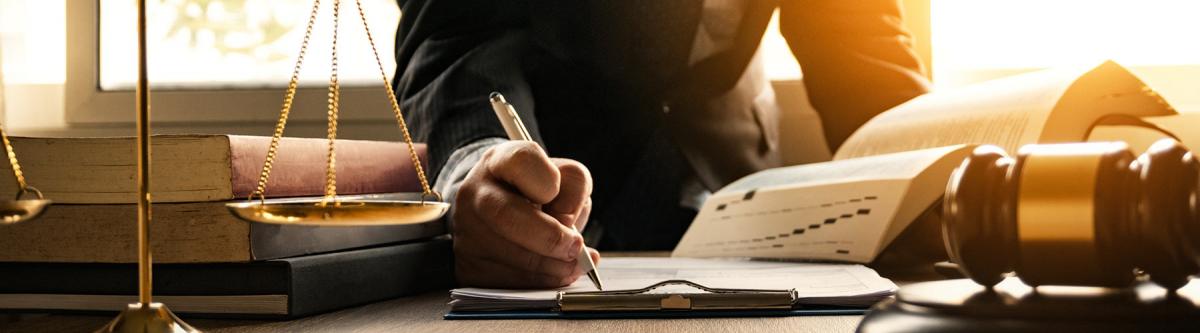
x,y
325,211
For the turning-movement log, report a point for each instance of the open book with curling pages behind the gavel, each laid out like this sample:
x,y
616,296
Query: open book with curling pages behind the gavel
x,y
896,167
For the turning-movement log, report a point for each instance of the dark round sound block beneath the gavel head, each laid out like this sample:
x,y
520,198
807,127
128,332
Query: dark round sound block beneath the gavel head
x,y
963,306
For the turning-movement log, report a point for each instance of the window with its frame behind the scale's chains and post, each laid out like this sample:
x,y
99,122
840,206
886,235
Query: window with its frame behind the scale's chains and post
x,y
224,62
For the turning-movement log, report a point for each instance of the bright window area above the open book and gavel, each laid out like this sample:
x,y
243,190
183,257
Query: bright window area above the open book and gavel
x,y
981,40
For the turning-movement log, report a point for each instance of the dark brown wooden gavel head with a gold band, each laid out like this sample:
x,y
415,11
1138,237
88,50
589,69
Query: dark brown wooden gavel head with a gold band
x,y
1076,215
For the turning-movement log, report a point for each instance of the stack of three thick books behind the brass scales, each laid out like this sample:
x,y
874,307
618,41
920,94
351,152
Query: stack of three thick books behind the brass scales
x,y
82,253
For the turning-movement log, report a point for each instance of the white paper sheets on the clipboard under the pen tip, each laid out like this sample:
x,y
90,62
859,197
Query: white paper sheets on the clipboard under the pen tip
x,y
831,284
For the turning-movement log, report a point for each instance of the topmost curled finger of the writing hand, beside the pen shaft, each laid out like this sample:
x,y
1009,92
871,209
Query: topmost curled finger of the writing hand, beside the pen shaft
x,y
524,166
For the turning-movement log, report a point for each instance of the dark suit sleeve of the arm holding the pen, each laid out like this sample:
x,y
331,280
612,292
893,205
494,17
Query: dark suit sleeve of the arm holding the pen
x,y
451,56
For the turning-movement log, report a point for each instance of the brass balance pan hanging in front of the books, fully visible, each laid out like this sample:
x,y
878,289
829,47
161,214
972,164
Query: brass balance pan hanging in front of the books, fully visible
x,y
355,211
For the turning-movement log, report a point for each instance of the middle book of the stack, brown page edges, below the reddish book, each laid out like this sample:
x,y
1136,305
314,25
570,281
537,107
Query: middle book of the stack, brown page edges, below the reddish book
x,y
184,234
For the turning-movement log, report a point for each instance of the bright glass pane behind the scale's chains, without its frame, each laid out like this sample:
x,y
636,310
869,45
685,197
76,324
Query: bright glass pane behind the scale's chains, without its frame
x,y
243,44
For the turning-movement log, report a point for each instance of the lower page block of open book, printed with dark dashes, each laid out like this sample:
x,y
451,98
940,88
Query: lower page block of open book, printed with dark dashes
x,y
844,210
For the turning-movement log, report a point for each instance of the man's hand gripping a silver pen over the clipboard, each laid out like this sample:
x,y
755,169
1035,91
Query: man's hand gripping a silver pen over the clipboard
x,y
514,215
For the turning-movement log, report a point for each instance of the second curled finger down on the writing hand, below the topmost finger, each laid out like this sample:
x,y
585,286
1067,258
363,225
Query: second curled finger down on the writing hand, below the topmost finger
x,y
519,221
